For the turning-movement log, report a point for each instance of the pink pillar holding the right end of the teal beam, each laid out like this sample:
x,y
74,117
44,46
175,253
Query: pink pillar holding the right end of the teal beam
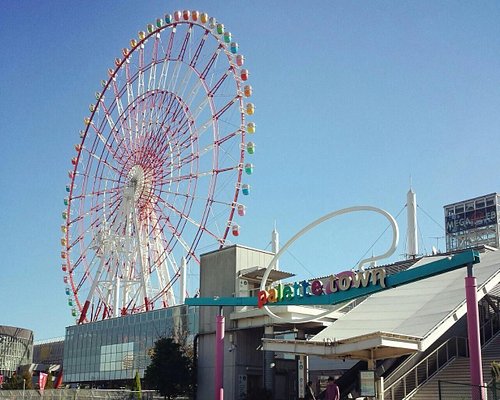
x,y
476,368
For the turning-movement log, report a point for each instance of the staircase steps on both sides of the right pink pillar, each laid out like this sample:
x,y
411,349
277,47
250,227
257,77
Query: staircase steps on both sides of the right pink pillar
x,y
458,371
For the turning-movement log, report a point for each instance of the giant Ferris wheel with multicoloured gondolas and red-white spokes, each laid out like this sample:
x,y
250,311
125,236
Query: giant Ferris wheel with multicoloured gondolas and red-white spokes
x,y
159,168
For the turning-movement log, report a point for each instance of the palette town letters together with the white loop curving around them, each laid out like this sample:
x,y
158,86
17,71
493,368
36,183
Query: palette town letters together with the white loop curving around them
x,y
280,294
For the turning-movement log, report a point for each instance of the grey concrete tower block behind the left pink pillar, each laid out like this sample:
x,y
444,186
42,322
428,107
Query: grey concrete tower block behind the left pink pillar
x,y
218,277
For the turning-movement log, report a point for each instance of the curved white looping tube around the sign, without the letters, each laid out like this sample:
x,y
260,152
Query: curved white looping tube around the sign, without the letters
x,y
389,252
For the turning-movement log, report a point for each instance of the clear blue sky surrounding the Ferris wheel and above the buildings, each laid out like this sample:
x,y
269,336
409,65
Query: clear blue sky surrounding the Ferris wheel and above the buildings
x,y
352,98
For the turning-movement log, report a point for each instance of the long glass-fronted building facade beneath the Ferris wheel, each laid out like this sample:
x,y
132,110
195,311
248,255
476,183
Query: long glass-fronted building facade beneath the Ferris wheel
x,y
108,353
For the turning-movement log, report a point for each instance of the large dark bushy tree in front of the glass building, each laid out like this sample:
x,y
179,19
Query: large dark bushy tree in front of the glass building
x,y
170,371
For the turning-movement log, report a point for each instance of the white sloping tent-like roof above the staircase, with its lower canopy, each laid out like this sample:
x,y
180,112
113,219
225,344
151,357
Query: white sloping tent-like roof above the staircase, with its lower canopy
x,y
417,313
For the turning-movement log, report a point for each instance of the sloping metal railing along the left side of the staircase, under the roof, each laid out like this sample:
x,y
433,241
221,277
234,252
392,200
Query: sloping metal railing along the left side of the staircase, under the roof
x,y
426,368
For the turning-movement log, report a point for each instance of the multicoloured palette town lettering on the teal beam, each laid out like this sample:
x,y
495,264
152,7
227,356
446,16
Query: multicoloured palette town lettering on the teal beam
x,y
334,283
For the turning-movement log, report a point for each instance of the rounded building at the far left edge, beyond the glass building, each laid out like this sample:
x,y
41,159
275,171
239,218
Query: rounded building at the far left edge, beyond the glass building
x,y
16,349
